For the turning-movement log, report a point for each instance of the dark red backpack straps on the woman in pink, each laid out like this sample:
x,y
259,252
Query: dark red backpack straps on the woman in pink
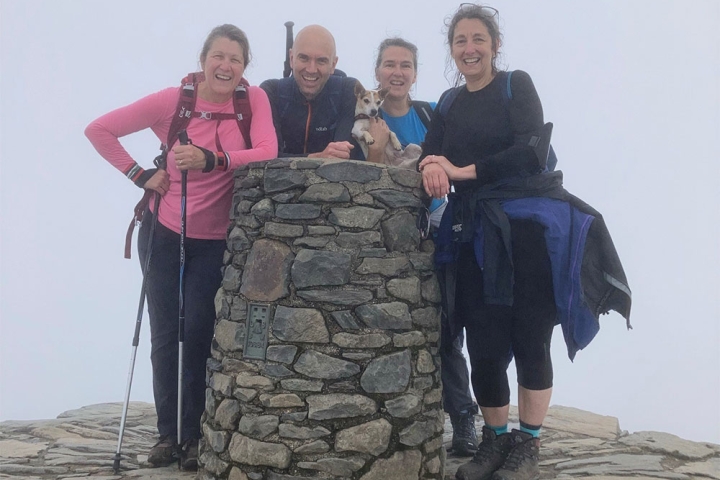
x,y
185,111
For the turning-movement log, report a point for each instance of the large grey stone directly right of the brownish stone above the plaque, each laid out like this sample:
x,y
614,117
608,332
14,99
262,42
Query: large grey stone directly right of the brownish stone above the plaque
x,y
320,268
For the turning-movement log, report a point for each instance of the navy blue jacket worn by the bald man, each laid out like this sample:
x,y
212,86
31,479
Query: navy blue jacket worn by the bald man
x,y
305,127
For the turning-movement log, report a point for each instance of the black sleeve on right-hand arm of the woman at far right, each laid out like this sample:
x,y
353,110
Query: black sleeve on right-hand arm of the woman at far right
x,y
526,116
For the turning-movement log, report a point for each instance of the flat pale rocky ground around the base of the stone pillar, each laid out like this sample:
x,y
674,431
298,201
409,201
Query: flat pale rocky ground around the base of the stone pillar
x,y
576,444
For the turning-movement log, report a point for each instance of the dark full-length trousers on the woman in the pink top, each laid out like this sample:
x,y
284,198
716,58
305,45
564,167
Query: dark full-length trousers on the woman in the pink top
x,y
203,260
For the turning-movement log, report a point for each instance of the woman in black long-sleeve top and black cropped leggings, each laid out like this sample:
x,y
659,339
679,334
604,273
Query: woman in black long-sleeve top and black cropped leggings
x,y
471,144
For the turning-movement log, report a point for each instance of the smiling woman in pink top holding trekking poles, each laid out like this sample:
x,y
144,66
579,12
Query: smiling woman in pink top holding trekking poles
x,y
217,148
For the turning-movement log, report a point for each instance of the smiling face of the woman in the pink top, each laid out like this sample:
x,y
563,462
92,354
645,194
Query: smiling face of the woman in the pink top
x,y
223,66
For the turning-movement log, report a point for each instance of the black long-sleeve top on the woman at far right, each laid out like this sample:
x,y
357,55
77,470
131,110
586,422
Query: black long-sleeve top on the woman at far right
x,y
480,127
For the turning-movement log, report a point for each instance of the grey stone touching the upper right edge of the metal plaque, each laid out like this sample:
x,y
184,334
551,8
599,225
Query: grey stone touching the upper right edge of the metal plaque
x,y
300,325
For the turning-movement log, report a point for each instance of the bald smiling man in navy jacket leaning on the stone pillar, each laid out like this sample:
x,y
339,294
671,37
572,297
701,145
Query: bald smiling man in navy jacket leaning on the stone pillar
x,y
314,110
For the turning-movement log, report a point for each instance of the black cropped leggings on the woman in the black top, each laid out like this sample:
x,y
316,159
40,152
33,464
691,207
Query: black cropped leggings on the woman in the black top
x,y
496,332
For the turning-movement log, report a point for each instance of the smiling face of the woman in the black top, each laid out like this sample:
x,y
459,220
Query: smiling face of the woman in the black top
x,y
473,52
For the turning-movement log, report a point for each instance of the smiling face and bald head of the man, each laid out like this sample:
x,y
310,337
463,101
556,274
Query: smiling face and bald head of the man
x,y
313,60
